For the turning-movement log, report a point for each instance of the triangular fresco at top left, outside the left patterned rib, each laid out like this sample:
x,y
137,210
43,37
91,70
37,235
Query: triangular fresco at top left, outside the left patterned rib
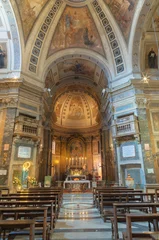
x,y
29,11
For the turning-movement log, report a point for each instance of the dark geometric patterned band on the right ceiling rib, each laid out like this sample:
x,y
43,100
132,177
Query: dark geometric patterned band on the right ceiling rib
x,y
118,59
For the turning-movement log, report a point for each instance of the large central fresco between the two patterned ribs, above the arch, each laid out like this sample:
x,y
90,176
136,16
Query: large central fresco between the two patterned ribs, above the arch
x,y
76,28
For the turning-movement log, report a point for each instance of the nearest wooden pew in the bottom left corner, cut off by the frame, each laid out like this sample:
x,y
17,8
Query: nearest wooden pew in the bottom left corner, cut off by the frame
x,y
11,225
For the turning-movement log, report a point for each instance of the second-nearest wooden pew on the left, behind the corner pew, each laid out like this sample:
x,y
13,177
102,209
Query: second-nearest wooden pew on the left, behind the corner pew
x,y
26,212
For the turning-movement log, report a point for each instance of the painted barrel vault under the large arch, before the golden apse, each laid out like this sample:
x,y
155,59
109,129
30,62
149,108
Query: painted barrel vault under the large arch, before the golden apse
x,y
76,69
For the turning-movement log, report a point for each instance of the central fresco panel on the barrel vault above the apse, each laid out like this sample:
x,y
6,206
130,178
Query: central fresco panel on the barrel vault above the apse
x,y
76,67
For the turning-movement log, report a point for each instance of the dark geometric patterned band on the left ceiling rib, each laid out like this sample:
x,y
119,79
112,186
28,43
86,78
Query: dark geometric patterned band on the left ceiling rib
x,y
41,36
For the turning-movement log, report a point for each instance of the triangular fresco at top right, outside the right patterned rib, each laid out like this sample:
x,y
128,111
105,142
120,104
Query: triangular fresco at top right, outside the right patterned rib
x,y
123,11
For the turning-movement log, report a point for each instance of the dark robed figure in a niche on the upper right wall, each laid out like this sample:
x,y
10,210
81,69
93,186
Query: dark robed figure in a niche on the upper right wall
x,y
151,56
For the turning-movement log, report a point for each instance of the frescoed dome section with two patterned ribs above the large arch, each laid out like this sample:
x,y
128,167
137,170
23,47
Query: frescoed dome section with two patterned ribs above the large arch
x,y
103,27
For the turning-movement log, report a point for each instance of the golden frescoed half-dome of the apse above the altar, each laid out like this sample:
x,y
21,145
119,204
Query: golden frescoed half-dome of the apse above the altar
x,y
76,110
